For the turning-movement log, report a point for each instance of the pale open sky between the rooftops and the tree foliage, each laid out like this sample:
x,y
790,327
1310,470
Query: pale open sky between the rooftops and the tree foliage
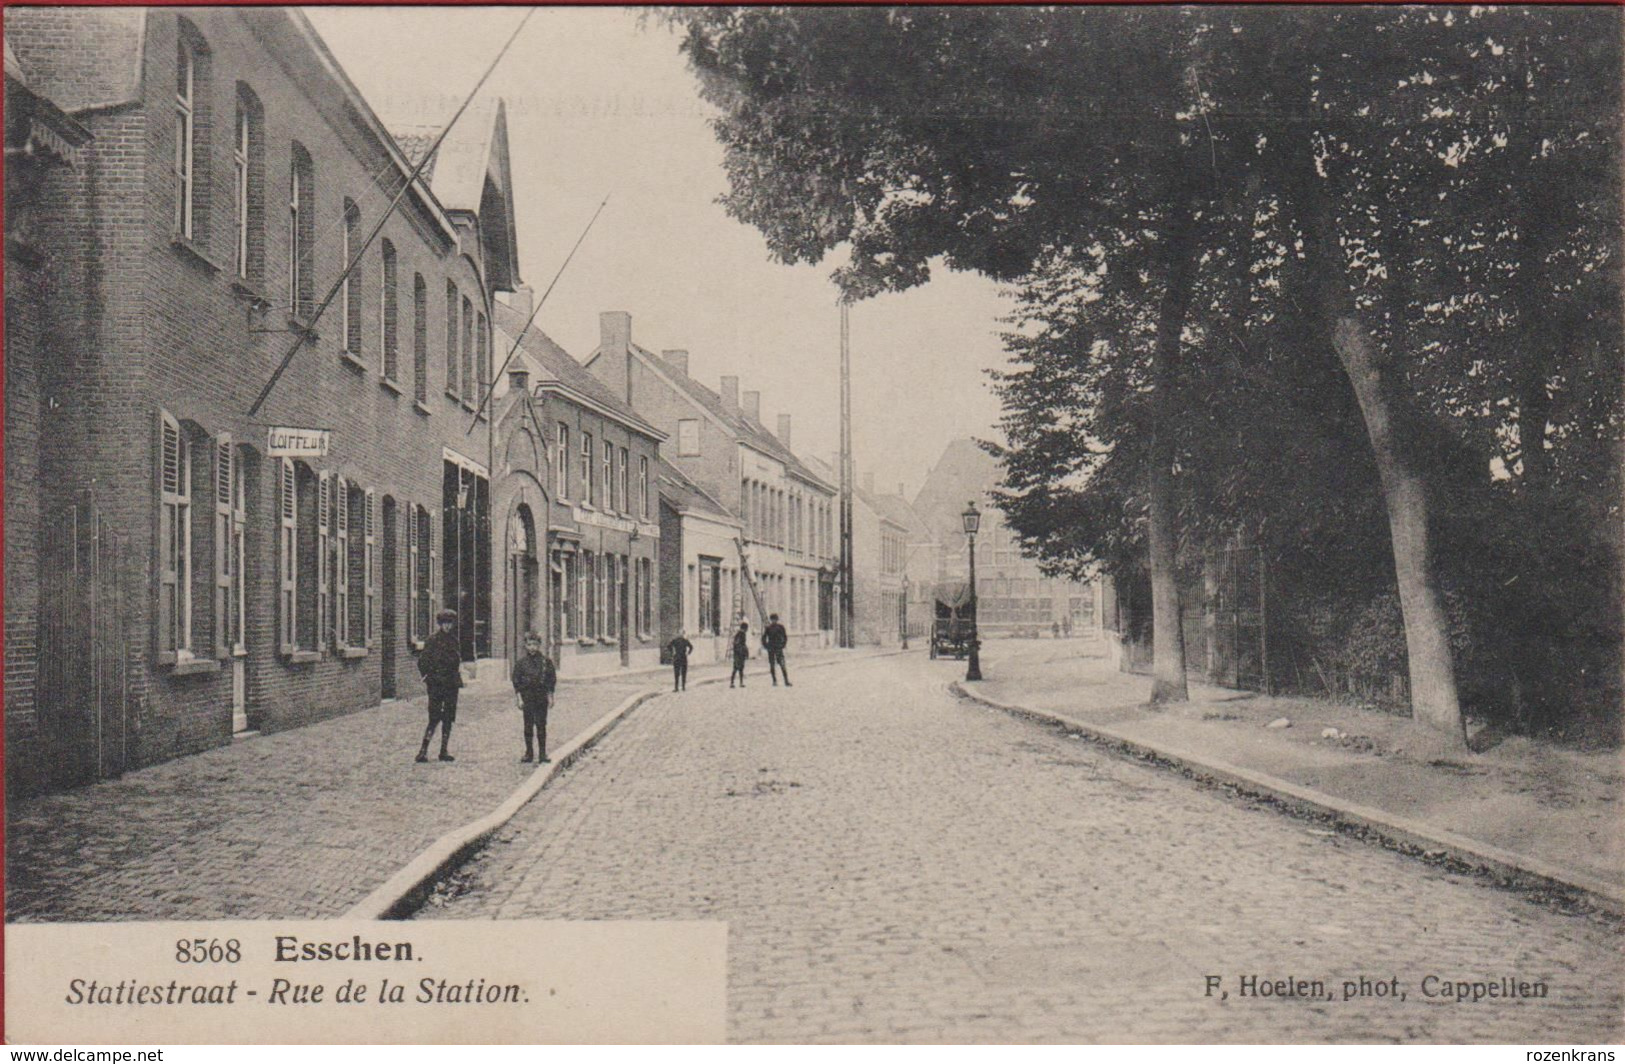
x,y
602,103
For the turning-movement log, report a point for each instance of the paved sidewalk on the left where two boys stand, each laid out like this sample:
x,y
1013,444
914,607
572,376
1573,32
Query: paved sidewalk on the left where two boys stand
x,y
298,824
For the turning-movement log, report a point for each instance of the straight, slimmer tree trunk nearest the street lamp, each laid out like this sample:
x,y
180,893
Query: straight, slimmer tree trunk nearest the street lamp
x,y
1168,675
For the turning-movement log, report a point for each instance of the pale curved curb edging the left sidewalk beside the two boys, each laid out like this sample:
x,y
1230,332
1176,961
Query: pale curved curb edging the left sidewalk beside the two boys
x,y
404,893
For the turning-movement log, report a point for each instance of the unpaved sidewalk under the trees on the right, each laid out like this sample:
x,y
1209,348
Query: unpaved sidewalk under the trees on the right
x,y
1523,810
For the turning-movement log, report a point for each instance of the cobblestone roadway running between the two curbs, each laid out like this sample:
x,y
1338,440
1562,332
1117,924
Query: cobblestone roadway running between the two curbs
x,y
898,865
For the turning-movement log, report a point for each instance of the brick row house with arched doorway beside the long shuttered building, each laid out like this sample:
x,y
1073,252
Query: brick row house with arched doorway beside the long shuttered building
x,y
591,511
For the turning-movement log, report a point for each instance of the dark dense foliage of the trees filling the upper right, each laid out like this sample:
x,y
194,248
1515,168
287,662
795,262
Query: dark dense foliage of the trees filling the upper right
x,y
1447,181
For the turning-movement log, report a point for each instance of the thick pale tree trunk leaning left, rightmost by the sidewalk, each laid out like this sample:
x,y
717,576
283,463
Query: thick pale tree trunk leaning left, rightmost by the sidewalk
x,y
1405,491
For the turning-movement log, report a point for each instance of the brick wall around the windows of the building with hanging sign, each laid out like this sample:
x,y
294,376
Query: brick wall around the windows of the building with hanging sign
x,y
165,326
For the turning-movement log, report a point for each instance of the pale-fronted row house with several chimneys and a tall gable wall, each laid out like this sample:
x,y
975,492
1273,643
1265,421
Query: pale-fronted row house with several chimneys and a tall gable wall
x,y
787,553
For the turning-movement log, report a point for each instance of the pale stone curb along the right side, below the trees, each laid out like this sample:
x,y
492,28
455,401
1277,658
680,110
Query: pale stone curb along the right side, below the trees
x,y
1507,867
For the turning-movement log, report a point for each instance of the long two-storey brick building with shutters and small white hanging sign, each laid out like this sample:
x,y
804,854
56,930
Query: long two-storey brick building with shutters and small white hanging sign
x,y
236,573
